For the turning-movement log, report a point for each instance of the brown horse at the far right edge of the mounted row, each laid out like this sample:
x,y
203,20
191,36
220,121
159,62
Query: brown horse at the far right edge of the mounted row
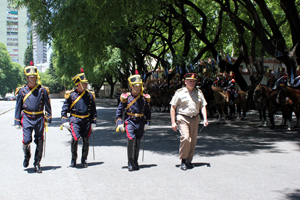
x,y
294,95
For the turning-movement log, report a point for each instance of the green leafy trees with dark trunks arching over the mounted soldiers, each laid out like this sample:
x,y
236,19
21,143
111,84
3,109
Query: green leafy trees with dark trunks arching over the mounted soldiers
x,y
113,38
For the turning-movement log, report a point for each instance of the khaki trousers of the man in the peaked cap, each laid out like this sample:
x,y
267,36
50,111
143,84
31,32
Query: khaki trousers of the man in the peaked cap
x,y
188,128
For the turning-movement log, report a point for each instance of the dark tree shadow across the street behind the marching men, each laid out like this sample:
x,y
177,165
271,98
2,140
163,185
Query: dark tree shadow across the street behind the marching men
x,y
233,137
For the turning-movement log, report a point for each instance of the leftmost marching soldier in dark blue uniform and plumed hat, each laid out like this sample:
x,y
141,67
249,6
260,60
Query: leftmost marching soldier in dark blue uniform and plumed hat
x,y
29,115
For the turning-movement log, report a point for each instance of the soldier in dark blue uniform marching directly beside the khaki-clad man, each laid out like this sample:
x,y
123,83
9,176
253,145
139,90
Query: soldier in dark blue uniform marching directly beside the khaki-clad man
x,y
133,116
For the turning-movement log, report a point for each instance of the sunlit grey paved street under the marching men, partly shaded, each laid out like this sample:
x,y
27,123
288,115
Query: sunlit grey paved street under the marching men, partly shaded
x,y
246,162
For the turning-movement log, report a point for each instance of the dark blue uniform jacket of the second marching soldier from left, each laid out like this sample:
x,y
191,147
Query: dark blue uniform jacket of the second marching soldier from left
x,y
85,106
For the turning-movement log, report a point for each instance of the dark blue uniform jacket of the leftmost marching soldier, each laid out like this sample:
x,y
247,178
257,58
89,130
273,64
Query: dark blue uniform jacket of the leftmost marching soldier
x,y
34,103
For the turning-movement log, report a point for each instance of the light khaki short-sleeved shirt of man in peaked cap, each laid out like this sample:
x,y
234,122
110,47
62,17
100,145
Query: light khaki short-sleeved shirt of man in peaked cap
x,y
186,103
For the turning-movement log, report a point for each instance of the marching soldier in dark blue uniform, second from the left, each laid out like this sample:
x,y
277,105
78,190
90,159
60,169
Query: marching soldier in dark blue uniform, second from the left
x,y
81,104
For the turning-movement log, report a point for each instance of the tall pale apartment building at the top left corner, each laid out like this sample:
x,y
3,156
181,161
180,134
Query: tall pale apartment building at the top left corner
x,y
13,30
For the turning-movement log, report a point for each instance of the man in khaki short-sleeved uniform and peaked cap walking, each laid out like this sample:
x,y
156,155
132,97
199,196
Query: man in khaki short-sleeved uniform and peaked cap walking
x,y
185,106
